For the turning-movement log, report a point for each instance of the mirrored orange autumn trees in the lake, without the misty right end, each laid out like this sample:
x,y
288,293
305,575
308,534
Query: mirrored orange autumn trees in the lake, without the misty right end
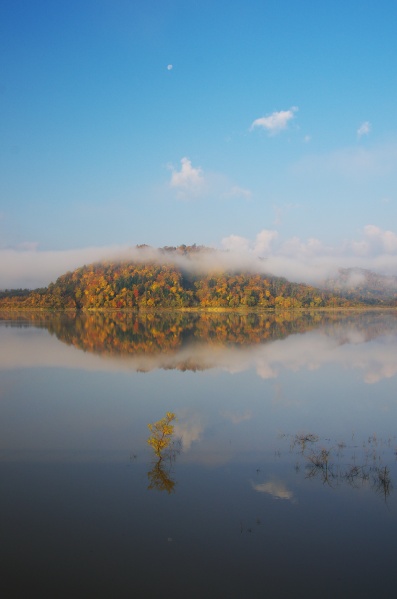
x,y
122,333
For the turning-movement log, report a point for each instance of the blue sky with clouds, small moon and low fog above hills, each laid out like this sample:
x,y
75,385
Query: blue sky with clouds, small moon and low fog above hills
x,y
266,128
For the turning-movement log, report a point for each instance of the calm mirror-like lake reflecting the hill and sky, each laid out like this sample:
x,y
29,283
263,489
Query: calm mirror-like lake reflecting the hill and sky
x,y
280,479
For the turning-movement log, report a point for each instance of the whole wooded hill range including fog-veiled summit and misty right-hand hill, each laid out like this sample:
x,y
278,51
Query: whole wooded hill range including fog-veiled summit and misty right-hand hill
x,y
196,277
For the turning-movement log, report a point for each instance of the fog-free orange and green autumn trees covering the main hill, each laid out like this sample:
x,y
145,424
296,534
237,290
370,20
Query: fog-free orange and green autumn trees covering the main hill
x,y
150,285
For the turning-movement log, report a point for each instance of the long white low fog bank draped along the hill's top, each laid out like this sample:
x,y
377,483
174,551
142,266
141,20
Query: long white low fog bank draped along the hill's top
x,y
298,261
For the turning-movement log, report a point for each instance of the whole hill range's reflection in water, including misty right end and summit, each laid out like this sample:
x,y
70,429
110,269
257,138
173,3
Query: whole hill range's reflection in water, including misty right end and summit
x,y
166,333
